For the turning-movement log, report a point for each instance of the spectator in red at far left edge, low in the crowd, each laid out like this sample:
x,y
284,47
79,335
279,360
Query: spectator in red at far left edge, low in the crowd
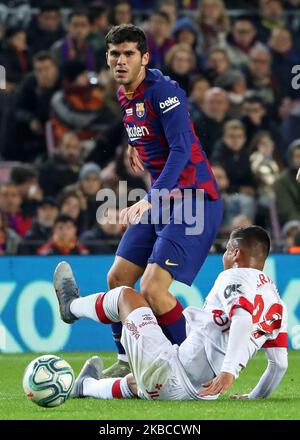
x,y
10,205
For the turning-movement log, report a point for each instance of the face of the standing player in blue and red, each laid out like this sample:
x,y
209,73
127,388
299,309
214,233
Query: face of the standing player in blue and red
x,y
126,62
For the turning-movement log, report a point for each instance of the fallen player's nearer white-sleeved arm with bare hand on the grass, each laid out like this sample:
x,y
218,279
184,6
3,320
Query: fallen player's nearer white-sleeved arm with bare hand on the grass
x,y
238,341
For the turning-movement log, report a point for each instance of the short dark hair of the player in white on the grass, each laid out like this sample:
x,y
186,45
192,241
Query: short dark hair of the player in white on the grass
x,y
250,236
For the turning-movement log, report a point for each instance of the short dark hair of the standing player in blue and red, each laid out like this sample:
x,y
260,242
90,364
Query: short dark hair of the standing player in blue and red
x,y
128,33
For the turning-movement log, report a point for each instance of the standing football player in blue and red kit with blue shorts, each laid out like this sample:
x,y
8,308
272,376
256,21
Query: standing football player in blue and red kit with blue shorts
x,y
161,139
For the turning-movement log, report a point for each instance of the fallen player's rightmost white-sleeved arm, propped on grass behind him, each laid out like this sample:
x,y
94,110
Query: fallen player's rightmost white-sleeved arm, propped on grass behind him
x,y
272,376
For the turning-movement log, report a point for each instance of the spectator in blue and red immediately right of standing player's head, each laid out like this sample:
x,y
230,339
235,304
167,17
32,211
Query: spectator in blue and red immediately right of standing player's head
x,y
158,38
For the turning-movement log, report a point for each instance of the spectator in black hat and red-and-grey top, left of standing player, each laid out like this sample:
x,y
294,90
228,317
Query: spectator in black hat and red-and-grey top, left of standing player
x,y
80,107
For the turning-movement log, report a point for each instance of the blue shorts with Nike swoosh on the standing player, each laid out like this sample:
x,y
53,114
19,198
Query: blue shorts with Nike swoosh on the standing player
x,y
170,245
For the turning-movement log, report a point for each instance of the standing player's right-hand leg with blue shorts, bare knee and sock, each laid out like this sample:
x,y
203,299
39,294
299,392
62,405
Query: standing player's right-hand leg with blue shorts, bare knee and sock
x,y
179,255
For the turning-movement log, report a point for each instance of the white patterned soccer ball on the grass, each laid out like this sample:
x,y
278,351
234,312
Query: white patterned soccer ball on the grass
x,y
48,380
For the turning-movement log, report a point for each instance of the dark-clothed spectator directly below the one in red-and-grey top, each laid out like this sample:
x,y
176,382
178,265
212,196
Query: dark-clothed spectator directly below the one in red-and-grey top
x,y
63,167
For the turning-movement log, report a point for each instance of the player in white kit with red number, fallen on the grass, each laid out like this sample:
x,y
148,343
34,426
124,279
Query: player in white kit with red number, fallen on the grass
x,y
242,313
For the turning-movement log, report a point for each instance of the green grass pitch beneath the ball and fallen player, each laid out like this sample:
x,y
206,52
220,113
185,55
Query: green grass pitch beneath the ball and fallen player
x,y
284,403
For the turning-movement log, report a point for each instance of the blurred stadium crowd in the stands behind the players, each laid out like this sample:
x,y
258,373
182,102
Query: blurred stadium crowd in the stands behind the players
x,y
61,132
